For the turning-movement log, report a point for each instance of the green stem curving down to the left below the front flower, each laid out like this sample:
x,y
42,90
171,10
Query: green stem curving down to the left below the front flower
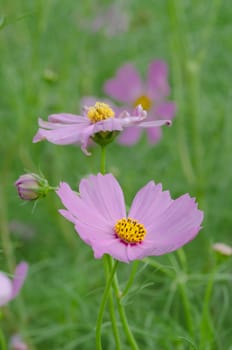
x,y
103,304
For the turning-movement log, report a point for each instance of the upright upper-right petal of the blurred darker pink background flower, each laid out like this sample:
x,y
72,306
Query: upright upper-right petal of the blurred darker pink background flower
x,y
157,83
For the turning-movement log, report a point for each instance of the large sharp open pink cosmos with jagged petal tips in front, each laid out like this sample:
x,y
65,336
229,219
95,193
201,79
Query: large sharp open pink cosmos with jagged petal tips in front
x,y
155,224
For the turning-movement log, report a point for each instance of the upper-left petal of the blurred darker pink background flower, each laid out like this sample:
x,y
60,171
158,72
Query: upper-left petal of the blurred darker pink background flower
x,y
126,86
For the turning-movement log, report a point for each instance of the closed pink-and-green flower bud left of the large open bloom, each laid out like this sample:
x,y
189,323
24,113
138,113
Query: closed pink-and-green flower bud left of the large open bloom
x,y
32,186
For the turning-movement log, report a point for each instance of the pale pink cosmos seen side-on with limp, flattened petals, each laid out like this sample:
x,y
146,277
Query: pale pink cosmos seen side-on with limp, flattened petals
x,y
97,121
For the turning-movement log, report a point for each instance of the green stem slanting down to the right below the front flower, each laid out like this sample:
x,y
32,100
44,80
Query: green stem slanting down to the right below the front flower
x,y
123,317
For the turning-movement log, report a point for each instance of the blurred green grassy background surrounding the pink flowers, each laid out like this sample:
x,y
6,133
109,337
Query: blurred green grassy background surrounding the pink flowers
x,y
180,301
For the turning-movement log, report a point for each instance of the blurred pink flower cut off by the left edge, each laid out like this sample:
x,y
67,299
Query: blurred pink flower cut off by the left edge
x,y
10,289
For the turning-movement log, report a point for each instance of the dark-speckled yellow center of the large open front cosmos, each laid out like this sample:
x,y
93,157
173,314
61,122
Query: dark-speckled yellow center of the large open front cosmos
x,y
130,231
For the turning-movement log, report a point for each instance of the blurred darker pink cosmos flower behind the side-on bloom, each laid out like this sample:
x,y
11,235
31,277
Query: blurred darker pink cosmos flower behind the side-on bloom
x,y
128,88
